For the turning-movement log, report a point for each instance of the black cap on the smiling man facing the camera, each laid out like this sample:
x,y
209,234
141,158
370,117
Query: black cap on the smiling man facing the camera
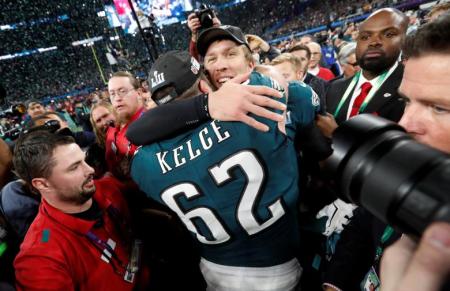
x,y
212,34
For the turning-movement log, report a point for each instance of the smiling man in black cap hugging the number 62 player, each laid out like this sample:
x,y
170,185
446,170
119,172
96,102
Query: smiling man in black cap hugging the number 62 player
x,y
231,102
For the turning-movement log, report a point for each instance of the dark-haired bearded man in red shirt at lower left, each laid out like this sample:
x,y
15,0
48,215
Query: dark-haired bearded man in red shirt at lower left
x,y
80,239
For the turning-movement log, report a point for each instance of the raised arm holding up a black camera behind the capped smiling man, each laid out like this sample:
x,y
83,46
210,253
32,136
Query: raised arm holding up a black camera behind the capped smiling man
x,y
195,26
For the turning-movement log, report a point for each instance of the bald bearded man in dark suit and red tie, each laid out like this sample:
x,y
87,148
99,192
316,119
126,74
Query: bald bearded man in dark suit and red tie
x,y
355,263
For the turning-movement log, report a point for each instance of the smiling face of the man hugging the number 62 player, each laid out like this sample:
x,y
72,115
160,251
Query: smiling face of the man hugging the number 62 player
x,y
226,59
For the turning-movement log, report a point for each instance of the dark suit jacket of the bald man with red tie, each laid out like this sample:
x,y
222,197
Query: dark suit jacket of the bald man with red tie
x,y
386,102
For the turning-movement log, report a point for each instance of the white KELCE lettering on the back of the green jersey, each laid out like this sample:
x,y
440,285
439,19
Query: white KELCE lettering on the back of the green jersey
x,y
186,152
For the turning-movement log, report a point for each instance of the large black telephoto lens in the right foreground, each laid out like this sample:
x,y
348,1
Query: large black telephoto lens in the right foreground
x,y
381,168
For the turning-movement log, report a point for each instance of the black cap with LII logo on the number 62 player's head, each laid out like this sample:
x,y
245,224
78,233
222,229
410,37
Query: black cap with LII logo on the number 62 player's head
x,y
175,68
